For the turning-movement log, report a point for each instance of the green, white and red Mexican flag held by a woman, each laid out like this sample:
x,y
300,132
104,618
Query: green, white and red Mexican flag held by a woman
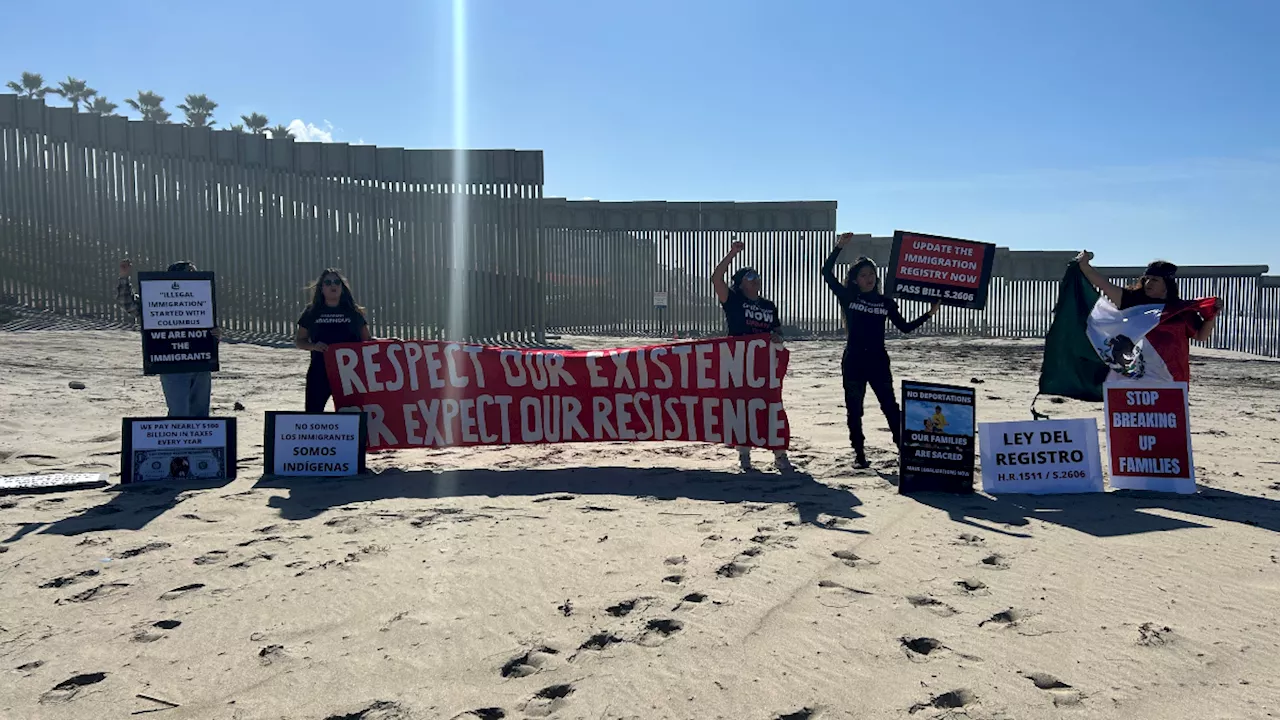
x,y
1091,340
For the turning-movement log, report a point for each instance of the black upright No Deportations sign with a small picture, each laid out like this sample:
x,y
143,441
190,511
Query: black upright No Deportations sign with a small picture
x,y
938,439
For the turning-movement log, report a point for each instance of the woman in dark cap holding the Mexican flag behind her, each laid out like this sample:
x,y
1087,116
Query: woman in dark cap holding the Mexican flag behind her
x,y
1181,322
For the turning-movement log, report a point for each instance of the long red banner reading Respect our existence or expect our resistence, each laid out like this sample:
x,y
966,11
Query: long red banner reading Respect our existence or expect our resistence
x,y
419,394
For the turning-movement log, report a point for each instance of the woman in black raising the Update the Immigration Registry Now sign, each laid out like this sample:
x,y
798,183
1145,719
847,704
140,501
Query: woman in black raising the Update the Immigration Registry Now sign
x,y
866,359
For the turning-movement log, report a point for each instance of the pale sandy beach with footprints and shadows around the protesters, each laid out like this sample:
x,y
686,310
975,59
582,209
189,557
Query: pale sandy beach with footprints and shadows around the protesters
x,y
612,581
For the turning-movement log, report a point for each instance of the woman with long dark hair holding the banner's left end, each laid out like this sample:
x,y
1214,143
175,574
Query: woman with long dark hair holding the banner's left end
x,y
333,317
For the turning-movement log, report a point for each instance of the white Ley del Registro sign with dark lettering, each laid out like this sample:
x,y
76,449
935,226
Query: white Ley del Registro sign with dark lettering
x,y
1040,458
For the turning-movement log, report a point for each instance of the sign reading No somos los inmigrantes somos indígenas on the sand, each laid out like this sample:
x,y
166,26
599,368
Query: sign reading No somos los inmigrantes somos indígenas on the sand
x,y
316,444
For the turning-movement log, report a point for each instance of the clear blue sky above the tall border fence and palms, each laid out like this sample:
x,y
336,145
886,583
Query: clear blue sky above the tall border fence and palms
x,y
1137,129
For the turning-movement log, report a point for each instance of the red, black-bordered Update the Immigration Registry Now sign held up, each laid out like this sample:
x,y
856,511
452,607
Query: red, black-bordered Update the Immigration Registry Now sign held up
x,y
935,268
